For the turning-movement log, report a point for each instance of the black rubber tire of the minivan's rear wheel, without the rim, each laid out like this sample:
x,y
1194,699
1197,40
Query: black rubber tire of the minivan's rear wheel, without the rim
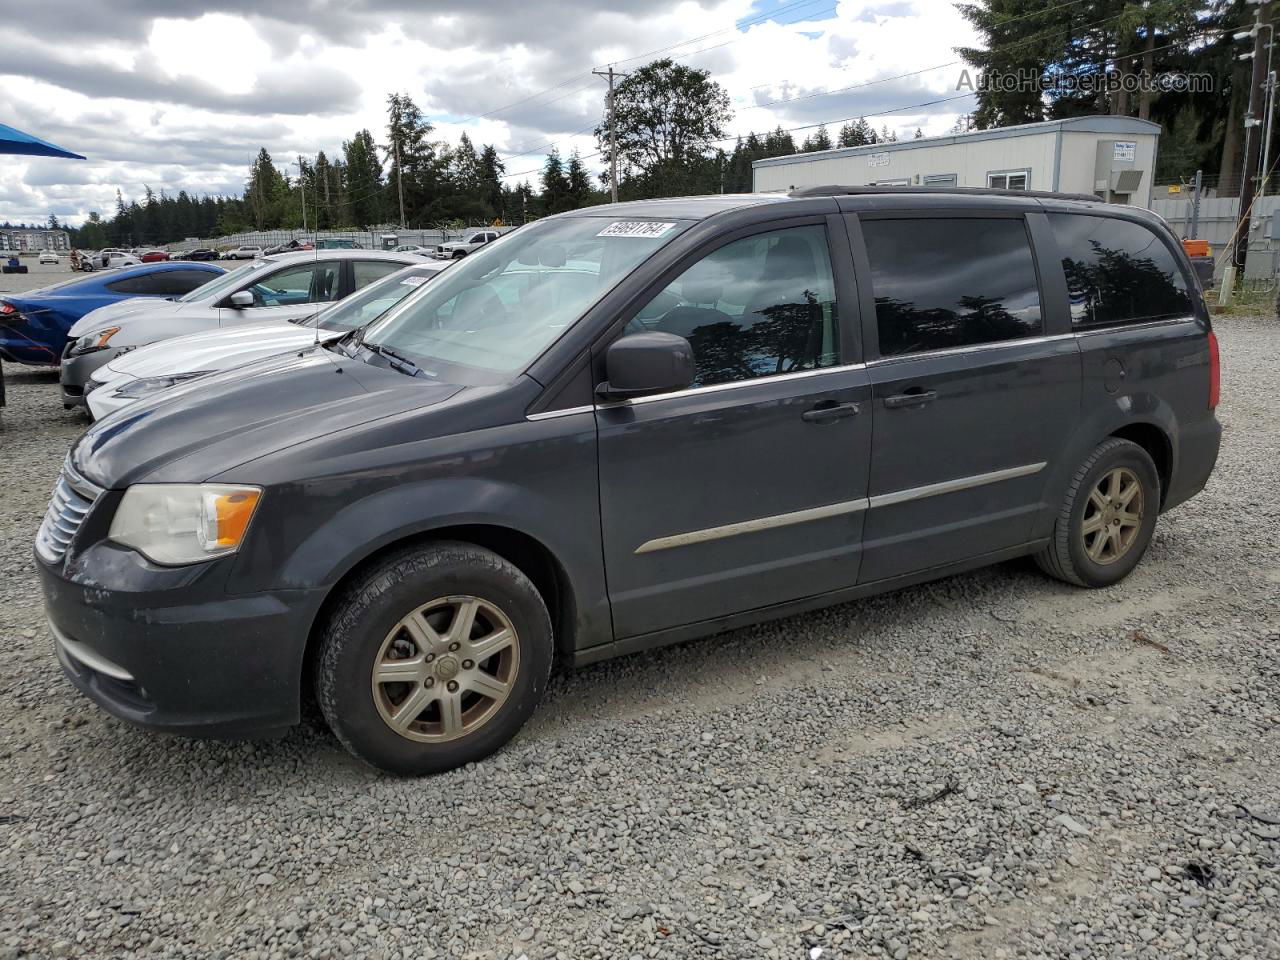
x,y
1066,556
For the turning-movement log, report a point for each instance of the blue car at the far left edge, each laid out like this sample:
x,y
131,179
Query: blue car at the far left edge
x,y
34,326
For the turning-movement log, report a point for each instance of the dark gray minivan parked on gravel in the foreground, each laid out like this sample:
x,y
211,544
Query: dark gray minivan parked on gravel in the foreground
x,y
627,427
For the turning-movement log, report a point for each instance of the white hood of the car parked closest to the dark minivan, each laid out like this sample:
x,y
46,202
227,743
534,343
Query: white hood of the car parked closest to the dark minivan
x,y
214,350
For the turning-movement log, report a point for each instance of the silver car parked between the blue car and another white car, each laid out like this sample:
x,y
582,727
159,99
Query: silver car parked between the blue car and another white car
x,y
286,287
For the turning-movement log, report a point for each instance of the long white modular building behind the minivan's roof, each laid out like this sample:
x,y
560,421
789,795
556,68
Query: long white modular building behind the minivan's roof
x,y
1113,158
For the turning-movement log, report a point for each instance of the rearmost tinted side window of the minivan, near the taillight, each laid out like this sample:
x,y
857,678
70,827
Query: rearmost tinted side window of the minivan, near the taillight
x,y
1118,272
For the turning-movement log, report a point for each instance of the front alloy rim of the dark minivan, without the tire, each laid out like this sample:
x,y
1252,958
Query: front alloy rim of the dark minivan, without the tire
x,y
446,669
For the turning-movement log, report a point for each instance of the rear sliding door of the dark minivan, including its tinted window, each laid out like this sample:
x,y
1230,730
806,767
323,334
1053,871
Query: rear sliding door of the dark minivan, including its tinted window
x,y
976,381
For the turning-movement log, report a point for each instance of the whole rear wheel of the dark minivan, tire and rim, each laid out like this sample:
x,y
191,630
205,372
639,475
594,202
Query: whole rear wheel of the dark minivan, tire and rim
x,y
1108,518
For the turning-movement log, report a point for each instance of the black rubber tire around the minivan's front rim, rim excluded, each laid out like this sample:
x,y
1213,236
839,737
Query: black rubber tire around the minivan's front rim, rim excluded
x,y
372,609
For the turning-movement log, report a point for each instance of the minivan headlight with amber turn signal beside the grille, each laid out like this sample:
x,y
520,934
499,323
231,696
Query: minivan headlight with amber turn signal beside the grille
x,y
177,524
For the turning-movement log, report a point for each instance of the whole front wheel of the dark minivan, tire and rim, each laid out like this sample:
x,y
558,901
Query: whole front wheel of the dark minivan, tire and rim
x,y
435,659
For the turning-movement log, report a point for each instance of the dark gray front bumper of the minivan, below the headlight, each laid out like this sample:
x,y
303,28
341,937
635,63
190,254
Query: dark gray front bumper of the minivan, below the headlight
x,y
168,650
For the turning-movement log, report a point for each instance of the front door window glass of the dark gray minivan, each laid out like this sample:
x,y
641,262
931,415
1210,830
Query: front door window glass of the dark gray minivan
x,y
761,307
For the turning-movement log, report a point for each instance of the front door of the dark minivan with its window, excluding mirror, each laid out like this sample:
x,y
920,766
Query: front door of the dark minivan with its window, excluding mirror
x,y
749,488
